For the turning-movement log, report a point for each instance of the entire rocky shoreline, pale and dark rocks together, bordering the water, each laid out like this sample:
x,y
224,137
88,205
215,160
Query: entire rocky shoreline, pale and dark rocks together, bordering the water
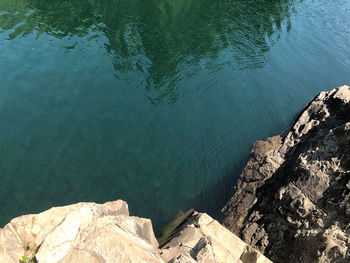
x,y
291,203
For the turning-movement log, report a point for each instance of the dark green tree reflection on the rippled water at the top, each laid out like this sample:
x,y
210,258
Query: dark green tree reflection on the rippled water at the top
x,y
152,38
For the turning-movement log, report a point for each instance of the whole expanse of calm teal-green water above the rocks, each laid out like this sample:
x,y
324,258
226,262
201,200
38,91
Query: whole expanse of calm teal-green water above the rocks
x,y
156,102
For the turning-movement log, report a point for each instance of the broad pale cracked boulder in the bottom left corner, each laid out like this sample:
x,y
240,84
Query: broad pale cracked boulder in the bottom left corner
x,y
84,232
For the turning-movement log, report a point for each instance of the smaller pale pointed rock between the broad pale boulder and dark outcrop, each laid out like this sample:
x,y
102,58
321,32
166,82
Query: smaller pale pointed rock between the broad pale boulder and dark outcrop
x,y
206,241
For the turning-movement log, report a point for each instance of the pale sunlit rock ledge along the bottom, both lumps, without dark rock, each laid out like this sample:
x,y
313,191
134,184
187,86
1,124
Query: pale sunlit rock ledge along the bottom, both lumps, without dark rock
x,y
103,233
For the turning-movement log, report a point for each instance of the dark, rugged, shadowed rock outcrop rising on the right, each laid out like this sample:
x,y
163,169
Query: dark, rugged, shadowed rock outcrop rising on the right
x,y
292,200
